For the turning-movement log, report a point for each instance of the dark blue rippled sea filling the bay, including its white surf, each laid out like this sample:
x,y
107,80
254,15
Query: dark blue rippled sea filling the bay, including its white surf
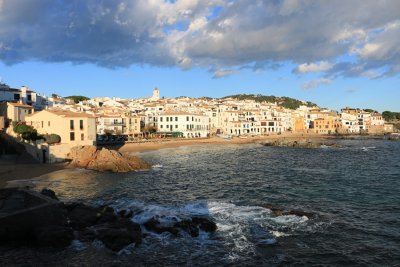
x,y
347,203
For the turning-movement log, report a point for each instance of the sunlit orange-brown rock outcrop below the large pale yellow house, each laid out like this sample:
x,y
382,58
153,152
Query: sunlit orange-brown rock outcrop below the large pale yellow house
x,y
89,157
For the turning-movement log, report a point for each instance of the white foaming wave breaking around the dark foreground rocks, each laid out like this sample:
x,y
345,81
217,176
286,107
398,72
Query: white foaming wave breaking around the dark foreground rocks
x,y
240,229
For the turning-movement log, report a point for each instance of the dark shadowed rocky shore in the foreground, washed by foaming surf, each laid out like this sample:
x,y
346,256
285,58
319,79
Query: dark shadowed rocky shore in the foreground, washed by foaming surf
x,y
28,218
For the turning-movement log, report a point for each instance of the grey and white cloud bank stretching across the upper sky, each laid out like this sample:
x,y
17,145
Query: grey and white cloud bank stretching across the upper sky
x,y
314,35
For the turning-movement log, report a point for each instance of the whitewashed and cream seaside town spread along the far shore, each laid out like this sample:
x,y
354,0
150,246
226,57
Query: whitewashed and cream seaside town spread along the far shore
x,y
73,121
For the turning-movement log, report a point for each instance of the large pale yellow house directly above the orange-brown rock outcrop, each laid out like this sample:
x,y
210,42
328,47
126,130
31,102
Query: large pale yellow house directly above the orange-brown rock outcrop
x,y
73,128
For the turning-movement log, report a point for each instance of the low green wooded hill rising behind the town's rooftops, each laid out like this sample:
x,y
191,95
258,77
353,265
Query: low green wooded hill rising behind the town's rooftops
x,y
286,102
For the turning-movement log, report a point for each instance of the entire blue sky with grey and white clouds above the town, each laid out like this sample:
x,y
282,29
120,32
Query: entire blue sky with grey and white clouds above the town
x,y
343,53
